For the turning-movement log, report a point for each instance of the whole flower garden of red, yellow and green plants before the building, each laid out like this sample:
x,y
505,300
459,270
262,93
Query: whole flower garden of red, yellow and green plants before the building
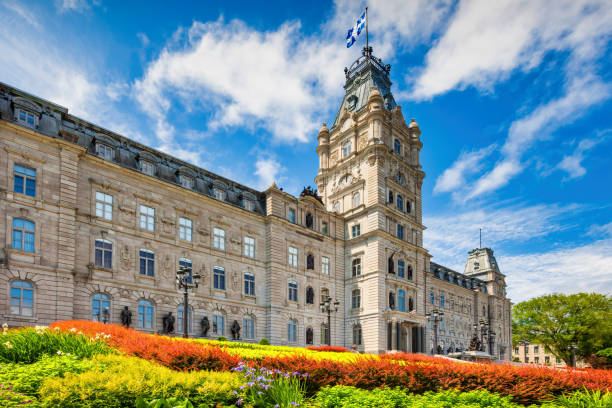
x,y
87,364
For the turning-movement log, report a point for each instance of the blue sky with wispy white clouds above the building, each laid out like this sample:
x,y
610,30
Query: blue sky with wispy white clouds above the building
x,y
513,98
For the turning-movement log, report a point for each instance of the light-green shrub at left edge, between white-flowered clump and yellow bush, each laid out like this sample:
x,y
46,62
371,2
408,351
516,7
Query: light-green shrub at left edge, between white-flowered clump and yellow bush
x,y
28,378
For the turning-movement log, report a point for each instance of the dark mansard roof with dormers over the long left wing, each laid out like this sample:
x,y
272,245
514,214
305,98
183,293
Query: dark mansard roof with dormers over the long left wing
x,y
55,121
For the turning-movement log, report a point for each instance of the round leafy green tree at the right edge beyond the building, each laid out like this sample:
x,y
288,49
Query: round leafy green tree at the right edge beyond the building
x,y
561,322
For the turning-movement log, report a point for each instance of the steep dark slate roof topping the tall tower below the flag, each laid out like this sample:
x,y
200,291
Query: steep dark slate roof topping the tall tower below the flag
x,y
364,74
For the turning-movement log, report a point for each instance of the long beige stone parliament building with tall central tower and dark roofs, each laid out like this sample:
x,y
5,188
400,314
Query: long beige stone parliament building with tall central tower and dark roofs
x,y
95,222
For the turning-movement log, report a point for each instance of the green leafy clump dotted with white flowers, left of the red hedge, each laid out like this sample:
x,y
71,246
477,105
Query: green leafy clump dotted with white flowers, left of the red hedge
x,y
28,345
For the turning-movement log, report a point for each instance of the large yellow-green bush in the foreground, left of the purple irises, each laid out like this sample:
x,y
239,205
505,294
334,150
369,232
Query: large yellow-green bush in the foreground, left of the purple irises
x,y
117,381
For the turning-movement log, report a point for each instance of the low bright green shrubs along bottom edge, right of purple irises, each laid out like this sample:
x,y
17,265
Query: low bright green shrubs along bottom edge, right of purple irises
x,y
351,397
